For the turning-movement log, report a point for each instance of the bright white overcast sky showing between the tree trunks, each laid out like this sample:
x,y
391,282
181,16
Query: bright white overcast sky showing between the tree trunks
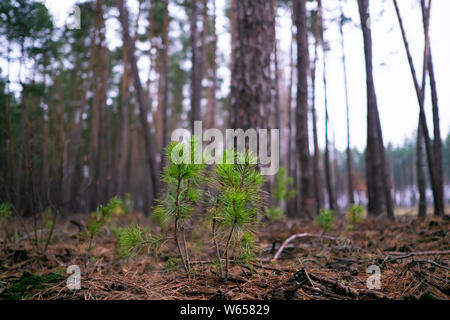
x,y
397,101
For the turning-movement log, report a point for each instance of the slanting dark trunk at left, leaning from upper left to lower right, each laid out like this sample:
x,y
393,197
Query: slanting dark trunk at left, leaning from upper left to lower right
x,y
142,99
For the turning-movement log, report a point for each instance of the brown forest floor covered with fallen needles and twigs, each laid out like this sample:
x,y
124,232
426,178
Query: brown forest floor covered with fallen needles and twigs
x,y
412,256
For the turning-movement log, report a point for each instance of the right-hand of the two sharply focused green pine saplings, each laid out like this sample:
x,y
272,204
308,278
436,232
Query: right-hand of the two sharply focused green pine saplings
x,y
239,200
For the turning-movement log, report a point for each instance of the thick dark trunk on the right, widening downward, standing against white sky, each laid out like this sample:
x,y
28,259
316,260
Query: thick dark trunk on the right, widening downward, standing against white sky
x,y
376,175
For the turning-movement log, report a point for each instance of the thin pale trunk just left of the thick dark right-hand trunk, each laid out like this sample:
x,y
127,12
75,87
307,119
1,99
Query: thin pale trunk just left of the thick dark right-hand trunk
x,y
351,195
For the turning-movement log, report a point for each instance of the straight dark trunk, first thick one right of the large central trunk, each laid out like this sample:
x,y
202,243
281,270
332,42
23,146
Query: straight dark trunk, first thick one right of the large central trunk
x,y
306,183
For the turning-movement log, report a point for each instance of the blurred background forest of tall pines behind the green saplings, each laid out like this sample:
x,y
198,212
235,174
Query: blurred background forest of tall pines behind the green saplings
x,y
82,124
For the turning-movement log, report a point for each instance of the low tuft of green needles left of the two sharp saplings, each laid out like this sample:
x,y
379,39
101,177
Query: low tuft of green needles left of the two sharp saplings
x,y
135,240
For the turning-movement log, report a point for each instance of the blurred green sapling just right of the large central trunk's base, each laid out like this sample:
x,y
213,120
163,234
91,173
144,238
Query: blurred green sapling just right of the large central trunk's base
x,y
282,193
